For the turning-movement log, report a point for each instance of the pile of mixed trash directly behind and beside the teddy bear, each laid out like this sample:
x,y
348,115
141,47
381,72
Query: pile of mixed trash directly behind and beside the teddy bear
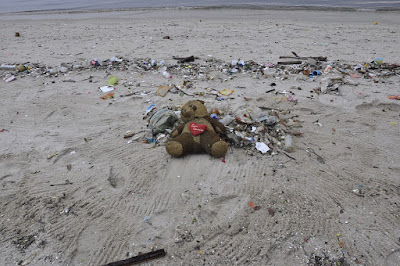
x,y
269,131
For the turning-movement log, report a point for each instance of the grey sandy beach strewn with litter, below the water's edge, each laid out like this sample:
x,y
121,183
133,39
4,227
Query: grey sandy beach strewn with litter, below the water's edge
x,y
74,191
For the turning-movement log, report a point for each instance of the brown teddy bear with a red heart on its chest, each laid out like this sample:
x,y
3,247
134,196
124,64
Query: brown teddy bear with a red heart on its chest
x,y
199,133
